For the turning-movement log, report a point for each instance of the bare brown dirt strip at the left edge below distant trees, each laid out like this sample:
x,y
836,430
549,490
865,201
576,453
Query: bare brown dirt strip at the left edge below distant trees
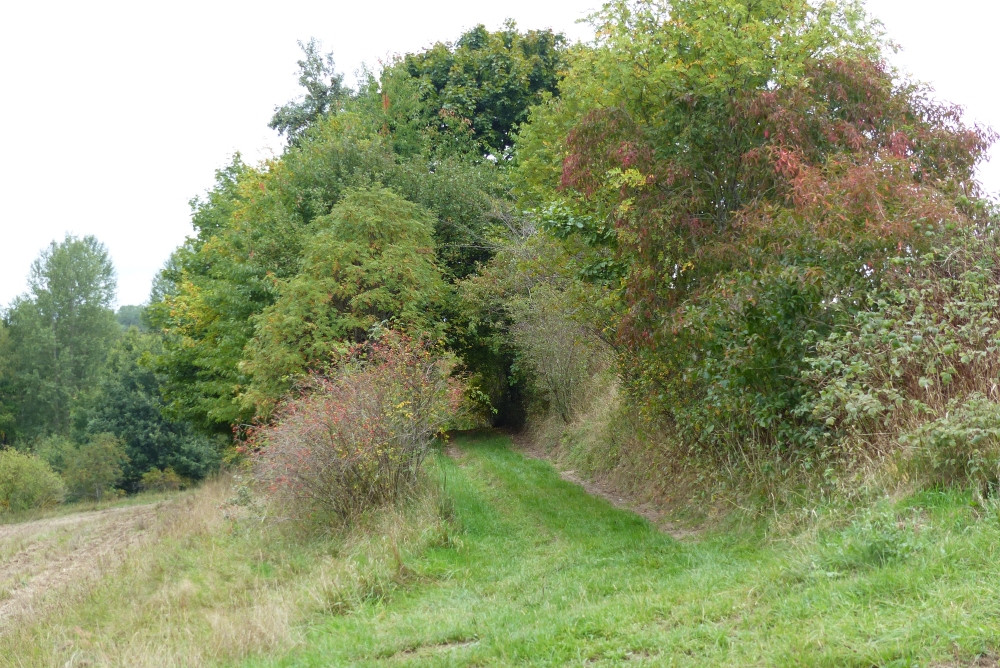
x,y
38,559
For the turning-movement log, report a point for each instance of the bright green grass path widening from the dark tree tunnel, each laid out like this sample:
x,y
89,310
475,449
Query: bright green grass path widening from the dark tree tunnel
x,y
541,573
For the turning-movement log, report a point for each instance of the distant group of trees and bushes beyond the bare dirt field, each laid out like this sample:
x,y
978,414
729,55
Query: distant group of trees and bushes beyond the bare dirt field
x,y
80,410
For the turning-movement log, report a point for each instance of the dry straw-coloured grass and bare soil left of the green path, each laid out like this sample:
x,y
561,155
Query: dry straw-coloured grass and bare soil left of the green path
x,y
183,583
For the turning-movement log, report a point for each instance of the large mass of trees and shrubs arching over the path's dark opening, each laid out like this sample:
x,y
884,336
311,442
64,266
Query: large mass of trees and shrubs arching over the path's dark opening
x,y
722,241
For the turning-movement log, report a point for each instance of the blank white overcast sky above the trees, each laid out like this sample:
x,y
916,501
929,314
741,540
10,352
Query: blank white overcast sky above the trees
x,y
115,114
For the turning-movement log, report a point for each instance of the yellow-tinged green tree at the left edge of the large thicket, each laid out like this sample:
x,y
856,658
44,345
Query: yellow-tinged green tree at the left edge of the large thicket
x,y
201,302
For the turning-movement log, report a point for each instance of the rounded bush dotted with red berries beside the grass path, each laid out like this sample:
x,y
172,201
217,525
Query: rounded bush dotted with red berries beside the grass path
x,y
355,439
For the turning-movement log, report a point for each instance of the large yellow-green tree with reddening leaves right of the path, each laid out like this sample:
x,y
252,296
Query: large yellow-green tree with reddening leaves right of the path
x,y
757,164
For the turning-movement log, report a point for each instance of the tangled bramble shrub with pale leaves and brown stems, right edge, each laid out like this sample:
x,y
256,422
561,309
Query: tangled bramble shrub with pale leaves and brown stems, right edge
x,y
921,348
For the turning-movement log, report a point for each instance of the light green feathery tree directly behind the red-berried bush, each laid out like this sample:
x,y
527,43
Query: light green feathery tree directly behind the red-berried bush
x,y
370,263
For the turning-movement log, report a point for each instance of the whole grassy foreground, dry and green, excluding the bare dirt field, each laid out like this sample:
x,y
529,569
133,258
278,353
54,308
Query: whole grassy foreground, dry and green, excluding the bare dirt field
x,y
513,566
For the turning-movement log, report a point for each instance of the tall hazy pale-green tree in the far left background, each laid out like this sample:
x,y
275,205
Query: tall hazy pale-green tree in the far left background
x,y
60,333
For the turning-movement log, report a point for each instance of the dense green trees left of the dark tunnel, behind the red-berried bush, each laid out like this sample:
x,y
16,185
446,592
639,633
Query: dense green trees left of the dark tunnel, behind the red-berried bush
x,y
257,299
